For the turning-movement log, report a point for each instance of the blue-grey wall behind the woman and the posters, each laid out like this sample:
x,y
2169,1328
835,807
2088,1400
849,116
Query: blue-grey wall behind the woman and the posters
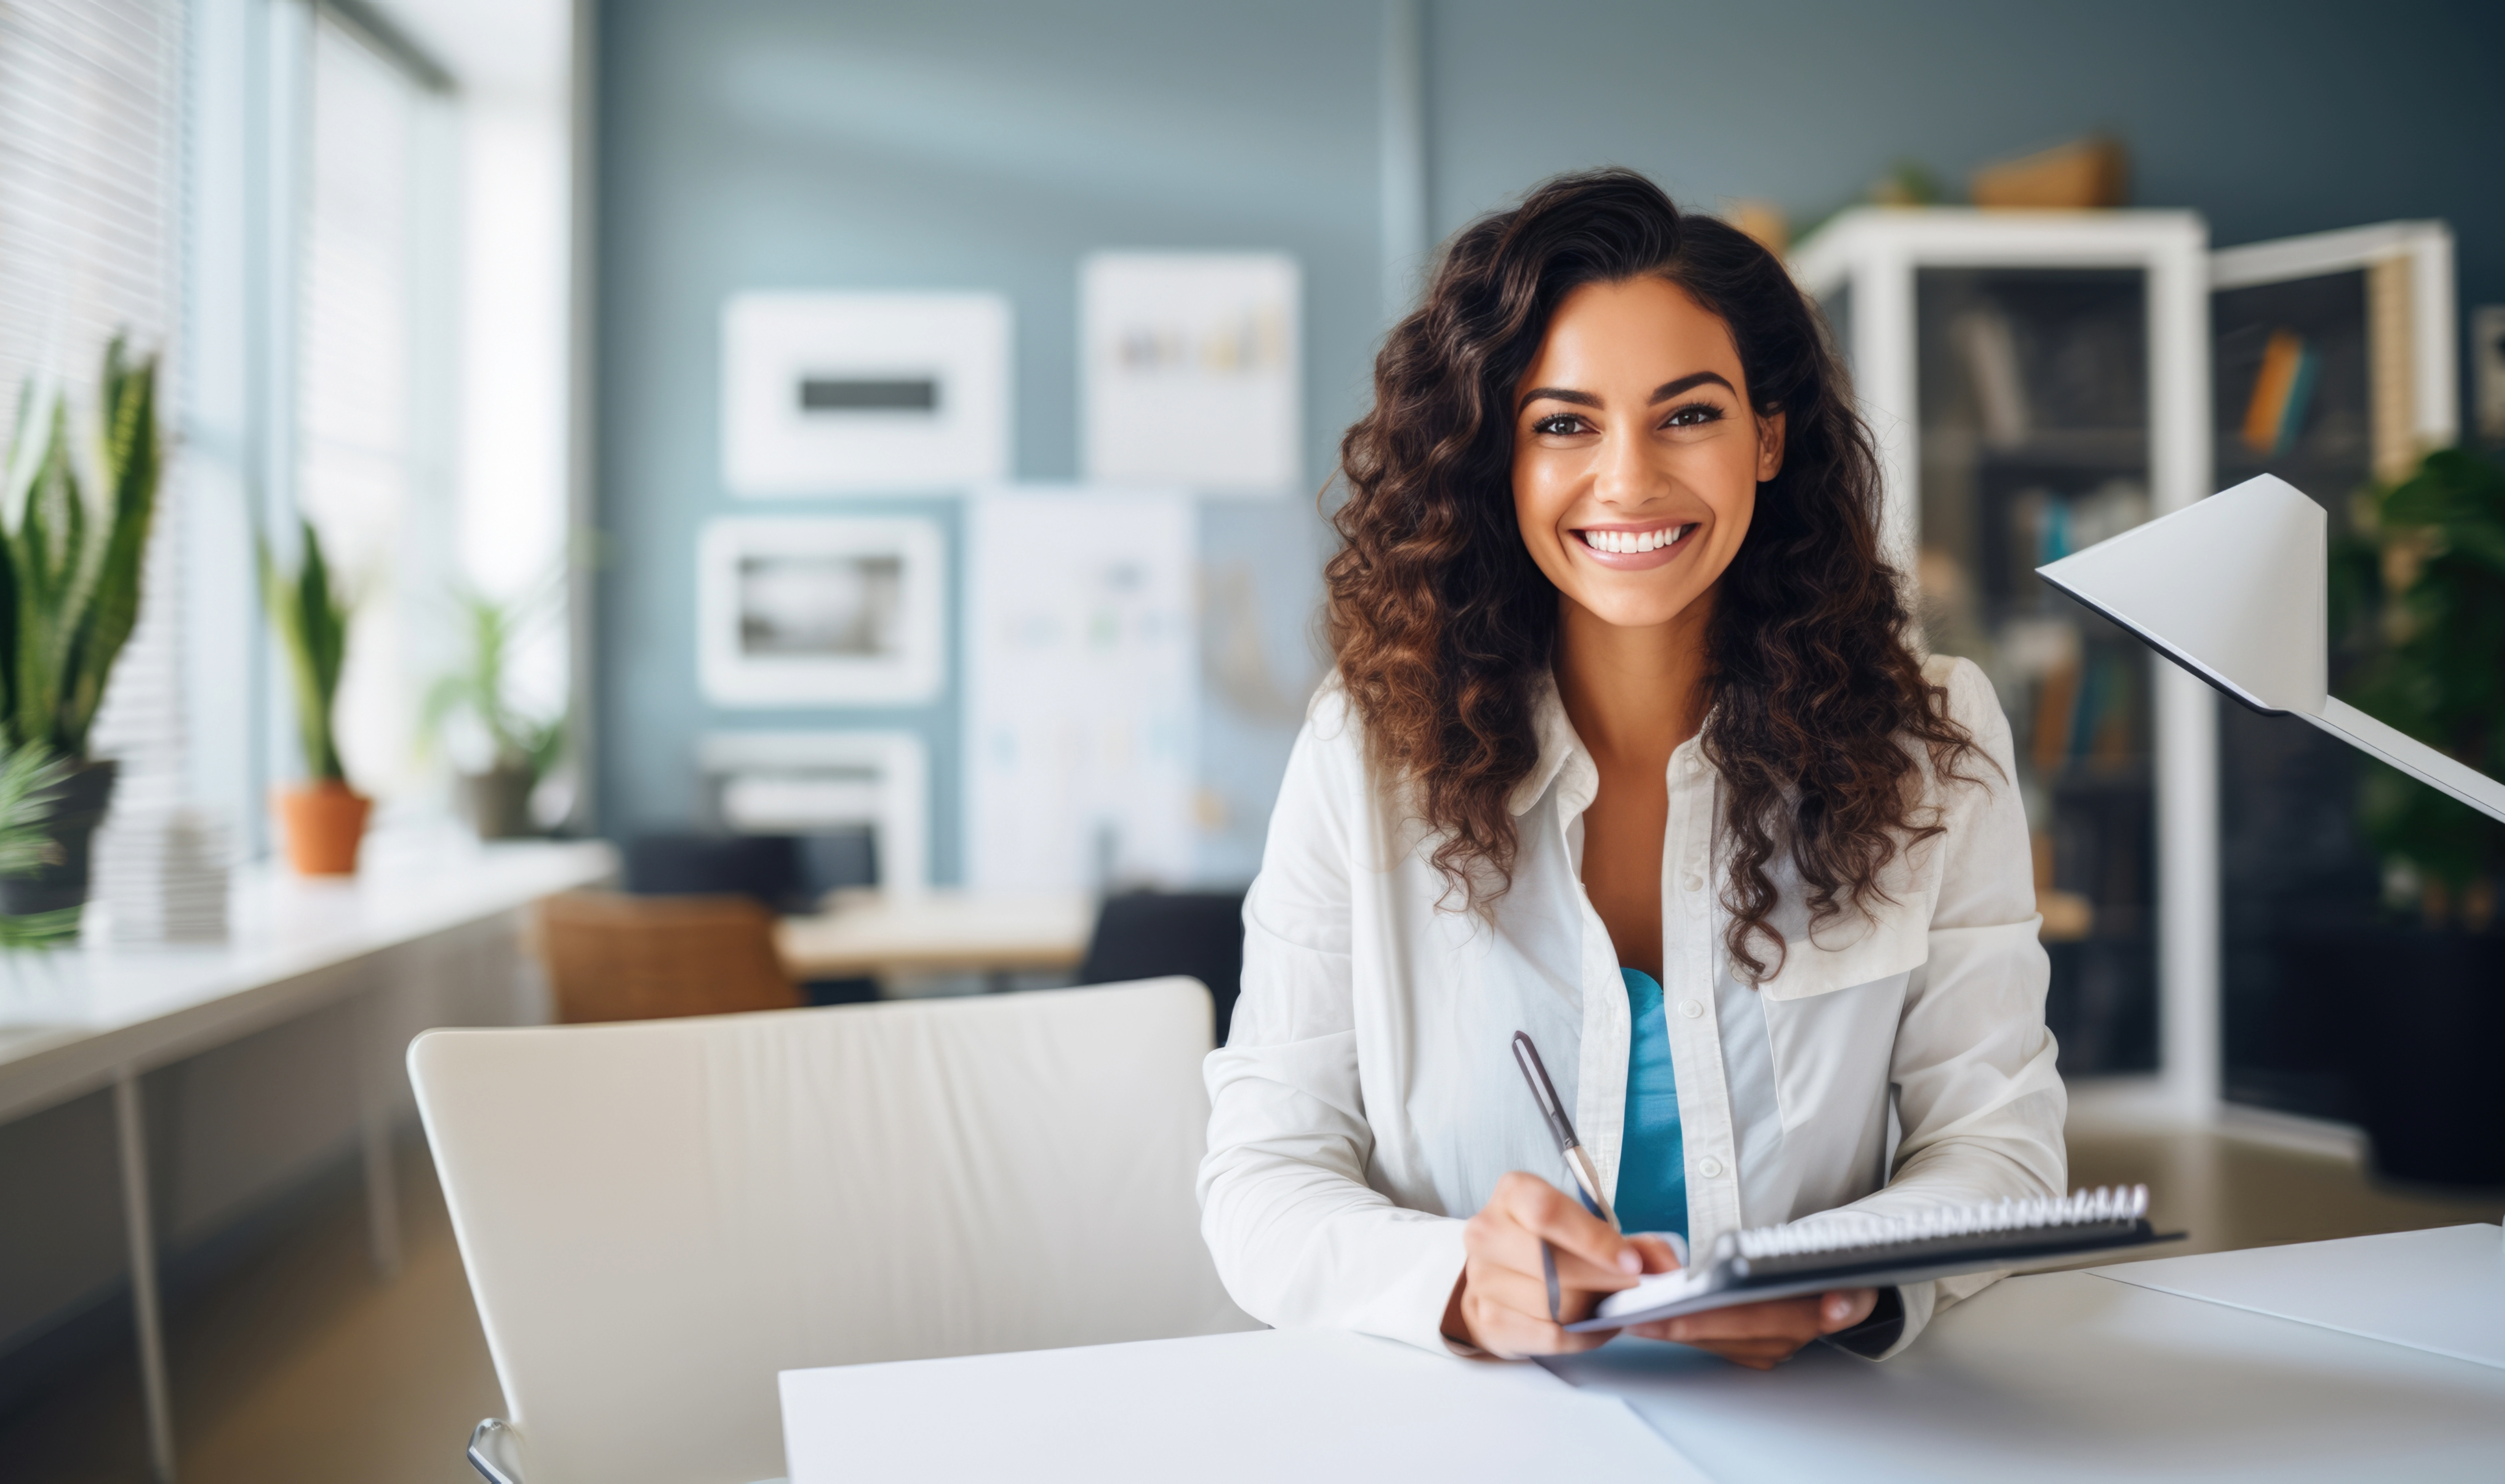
x,y
988,144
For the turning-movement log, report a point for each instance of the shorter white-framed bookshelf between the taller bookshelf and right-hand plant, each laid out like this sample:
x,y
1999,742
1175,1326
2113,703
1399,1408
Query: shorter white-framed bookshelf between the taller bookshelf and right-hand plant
x,y
2333,367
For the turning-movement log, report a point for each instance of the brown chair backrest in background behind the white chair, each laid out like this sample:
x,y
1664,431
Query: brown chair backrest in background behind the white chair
x,y
653,957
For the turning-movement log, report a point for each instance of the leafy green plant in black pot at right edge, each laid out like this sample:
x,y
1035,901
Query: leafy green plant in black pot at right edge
x,y
2426,597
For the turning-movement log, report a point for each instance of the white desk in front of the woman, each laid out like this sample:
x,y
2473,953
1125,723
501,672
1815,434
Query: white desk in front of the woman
x,y
2055,1378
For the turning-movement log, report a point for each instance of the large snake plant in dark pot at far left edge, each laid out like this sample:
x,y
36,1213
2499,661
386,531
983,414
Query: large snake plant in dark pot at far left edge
x,y
76,507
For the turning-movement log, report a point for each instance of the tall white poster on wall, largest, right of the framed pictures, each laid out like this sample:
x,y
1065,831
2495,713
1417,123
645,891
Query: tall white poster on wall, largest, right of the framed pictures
x,y
1081,694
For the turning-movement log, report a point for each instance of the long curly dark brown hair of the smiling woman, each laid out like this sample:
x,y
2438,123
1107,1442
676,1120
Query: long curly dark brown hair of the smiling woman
x,y
1444,627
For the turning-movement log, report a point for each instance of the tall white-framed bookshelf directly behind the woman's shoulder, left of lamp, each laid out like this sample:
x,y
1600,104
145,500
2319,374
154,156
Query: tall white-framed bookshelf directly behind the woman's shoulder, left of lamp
x,y
2040,382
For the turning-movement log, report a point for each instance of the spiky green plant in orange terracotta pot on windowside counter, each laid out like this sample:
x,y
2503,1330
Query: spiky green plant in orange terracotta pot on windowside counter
x,y
324,820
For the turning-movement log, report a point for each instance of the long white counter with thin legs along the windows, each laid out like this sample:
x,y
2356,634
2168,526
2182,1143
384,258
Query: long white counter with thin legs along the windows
x,y
101,1015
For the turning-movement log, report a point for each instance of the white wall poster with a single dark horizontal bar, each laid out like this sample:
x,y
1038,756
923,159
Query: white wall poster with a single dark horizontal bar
x,y
838,394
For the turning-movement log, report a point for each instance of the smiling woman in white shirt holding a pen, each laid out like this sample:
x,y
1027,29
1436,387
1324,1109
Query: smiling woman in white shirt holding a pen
x,y
1627,750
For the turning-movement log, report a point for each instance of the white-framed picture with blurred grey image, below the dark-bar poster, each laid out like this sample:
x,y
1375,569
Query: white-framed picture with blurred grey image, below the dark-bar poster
x,y
820,612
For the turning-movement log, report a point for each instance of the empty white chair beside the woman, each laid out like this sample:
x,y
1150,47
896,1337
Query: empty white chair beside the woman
x,y
660,1217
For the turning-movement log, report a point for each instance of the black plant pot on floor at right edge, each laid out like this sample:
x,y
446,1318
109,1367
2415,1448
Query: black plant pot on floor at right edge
x,y
2431,1055
